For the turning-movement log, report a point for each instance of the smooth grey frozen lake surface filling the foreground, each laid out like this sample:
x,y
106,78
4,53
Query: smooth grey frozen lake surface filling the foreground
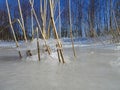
x,y
93,69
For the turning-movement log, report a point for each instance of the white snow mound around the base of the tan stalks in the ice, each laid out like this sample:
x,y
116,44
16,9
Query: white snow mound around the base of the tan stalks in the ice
x,y
53,58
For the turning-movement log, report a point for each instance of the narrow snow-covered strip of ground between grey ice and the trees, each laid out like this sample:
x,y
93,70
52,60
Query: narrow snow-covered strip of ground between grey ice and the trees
x,y
81,42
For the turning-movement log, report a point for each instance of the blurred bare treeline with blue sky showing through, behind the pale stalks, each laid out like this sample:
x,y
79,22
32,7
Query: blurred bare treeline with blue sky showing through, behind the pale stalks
x,y
90,18
